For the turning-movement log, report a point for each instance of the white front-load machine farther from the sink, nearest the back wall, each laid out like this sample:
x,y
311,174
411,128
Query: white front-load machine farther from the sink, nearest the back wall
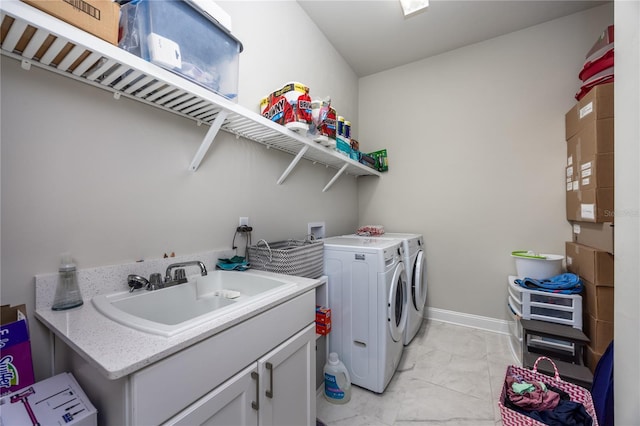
x,y
416,266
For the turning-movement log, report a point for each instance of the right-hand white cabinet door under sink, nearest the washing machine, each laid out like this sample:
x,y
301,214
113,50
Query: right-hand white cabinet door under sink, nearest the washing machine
x,y
287,382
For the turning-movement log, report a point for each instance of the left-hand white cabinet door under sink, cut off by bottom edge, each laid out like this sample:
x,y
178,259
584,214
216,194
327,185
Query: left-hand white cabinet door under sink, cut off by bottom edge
x,y
232,403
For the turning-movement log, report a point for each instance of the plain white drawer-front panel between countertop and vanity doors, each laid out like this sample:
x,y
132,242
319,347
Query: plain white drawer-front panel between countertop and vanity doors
x,y
168,386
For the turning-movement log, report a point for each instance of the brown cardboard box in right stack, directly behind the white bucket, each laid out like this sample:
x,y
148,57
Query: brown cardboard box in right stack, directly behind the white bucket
x,y
590,263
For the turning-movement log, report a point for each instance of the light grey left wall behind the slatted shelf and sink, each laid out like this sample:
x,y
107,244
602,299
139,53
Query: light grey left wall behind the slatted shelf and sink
x,y
107,180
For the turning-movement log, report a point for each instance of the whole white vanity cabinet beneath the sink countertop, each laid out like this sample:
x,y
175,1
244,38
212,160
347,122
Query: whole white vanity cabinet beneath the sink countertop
x,y
258,372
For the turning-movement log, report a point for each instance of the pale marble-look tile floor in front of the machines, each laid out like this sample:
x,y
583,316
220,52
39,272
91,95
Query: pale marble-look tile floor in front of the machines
x,y
448,375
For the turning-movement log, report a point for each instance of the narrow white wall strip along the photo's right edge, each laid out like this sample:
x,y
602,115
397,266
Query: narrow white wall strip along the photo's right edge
x,y
627,214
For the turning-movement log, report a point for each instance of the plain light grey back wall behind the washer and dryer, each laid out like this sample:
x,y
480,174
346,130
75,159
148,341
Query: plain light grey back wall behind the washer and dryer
x,y
476,154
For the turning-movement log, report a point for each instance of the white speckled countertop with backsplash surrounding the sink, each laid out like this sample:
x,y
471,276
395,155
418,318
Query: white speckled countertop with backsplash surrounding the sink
x,y
117,350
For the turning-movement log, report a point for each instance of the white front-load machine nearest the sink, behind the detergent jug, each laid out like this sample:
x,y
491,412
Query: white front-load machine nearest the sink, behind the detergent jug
x,y
367,296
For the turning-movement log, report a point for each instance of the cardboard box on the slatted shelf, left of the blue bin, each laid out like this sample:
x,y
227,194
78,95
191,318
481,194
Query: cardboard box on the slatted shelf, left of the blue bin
x,y
98,17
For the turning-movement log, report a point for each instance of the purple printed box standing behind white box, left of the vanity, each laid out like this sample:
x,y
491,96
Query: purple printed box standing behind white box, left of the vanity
x,y
16,365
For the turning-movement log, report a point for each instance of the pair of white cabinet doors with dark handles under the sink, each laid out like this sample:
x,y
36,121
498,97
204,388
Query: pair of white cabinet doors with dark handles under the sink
x,y
277,390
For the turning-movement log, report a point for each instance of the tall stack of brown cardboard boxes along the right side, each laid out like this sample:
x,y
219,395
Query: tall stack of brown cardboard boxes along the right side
x,y
590,188
